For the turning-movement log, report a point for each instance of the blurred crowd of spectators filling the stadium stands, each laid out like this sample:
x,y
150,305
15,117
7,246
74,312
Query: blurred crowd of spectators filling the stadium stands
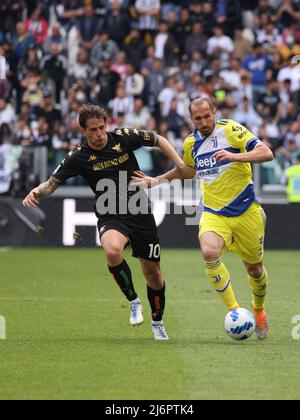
x,y
144,60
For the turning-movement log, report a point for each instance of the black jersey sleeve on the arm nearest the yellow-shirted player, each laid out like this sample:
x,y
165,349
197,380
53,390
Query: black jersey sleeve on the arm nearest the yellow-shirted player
x,y
134,139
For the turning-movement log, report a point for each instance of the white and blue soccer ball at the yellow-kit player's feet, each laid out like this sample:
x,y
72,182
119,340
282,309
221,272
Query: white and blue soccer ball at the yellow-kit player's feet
x,y
240,324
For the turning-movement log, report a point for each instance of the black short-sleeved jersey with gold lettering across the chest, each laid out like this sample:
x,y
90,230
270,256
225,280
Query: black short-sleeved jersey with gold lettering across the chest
x,y
107,164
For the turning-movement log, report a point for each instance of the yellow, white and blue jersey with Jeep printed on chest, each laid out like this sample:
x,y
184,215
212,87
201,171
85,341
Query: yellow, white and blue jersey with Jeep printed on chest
x,y
227,187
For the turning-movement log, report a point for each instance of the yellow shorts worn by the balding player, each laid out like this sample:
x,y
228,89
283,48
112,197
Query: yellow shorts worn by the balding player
x,y
243,234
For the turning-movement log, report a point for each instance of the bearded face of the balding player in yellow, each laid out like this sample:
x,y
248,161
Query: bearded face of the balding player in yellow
x,y
204,118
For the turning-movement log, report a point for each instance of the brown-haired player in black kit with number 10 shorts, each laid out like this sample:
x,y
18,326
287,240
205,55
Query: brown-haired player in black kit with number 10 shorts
x,y
105,157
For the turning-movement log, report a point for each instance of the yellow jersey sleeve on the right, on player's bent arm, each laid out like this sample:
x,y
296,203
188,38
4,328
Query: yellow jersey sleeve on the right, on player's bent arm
x,y
240,137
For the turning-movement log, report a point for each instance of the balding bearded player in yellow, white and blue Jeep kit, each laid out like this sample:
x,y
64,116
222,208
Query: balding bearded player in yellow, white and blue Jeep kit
x,y
221,152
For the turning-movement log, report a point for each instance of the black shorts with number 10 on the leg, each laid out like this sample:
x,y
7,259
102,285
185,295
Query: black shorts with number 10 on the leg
x,y
141,231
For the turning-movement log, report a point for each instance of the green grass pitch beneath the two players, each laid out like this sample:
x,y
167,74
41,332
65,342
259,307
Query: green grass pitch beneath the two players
x,y
68,332
